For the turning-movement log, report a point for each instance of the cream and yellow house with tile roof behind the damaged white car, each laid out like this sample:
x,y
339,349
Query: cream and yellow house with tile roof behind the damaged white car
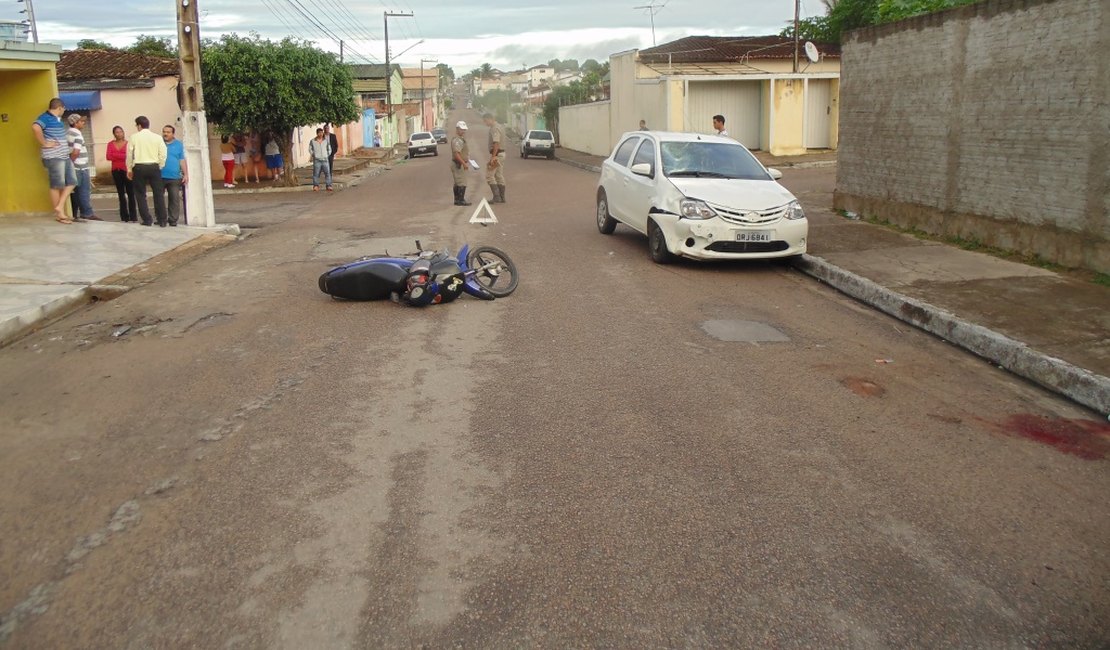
x,y
773,96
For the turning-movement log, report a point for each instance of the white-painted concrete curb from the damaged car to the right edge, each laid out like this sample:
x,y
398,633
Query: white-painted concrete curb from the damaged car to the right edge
x,y
1079,385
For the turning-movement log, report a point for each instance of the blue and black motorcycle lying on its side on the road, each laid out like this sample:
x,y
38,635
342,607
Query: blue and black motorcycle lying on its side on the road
x,y
425,278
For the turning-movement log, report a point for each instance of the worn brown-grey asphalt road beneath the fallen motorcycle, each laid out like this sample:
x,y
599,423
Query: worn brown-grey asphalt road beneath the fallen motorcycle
x,y
620,454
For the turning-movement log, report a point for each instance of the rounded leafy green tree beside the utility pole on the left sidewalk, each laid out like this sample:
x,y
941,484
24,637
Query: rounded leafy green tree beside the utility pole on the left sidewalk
x,y
256,85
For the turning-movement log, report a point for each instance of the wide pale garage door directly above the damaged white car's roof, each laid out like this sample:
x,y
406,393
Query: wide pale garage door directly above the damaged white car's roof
x,y
741,103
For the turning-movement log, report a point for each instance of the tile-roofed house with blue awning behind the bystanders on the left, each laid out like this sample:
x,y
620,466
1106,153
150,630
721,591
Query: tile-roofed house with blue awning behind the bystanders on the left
x,y
113,88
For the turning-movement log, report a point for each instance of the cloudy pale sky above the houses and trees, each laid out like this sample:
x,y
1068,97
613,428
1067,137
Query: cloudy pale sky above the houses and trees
x,y
507,35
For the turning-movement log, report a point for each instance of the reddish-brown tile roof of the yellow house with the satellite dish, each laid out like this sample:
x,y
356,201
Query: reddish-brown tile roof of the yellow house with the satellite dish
x,y
729,49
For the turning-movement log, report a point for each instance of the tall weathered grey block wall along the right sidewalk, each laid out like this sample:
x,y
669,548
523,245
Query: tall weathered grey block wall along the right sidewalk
x,y
990,121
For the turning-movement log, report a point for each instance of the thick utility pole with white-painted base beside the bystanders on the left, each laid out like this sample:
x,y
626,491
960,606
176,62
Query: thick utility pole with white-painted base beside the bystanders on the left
x,y
200,211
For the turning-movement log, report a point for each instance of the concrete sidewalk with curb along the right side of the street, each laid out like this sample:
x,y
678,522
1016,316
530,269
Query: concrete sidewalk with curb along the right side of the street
x,y
1045,327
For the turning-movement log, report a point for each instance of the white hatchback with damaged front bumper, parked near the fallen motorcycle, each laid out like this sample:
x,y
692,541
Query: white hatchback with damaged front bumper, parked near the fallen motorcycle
x,y
701,197
